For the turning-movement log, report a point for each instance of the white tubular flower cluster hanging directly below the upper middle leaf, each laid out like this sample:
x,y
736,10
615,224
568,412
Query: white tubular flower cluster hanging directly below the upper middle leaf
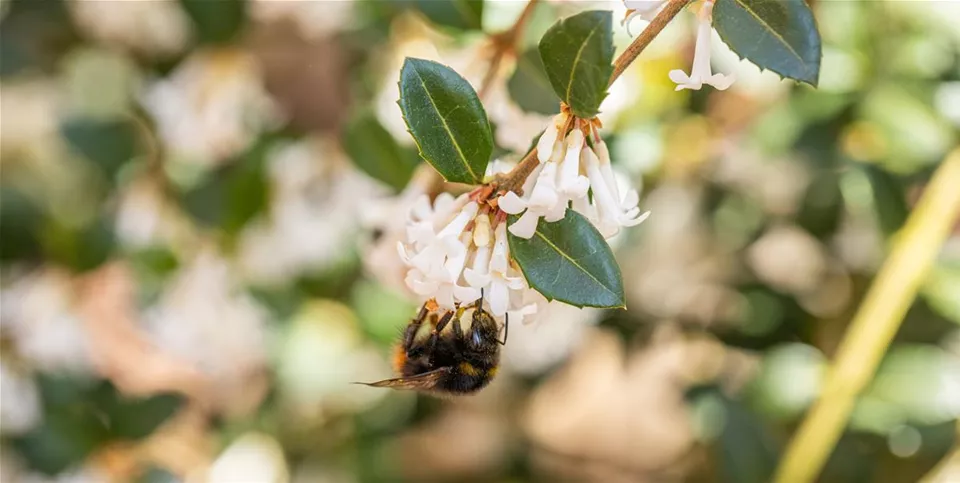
x,y
558,182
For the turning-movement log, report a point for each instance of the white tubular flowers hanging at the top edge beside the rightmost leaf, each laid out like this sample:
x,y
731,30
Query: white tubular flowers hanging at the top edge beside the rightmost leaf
x,y
701,73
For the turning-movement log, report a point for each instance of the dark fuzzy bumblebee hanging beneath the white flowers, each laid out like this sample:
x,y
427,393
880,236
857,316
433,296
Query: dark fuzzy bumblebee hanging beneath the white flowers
x,y
457,353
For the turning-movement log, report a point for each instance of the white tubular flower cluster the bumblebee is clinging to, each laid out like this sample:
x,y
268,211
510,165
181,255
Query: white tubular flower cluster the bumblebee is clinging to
x,y
457,252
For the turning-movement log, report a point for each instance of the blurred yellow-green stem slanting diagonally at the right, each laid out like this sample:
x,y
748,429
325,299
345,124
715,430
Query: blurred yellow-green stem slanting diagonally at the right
x,y
875,324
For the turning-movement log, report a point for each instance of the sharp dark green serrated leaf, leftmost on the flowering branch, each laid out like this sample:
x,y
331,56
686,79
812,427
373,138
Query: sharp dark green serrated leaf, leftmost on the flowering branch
x,y
446,119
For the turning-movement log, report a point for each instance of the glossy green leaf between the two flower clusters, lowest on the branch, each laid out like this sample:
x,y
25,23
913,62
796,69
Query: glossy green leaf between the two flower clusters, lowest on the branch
x,y
570,261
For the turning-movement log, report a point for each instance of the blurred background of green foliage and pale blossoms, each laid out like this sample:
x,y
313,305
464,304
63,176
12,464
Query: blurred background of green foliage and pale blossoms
x,y
200,202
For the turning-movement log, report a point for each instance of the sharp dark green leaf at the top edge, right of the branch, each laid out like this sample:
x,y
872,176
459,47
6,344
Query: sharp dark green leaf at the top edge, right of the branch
x,y
779,35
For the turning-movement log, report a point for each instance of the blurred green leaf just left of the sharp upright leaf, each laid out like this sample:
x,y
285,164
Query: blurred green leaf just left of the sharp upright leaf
x,y
375,151
